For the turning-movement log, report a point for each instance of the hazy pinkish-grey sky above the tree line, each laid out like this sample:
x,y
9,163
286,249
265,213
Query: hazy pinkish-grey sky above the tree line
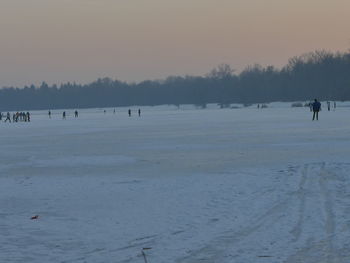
x,y
80,40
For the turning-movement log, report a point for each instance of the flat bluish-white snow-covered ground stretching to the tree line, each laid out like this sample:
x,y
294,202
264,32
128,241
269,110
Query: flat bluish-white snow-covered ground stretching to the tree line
x,y
211,185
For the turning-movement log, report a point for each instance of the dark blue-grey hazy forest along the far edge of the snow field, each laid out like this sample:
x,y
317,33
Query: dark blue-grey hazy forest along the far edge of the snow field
x,y
320,74
